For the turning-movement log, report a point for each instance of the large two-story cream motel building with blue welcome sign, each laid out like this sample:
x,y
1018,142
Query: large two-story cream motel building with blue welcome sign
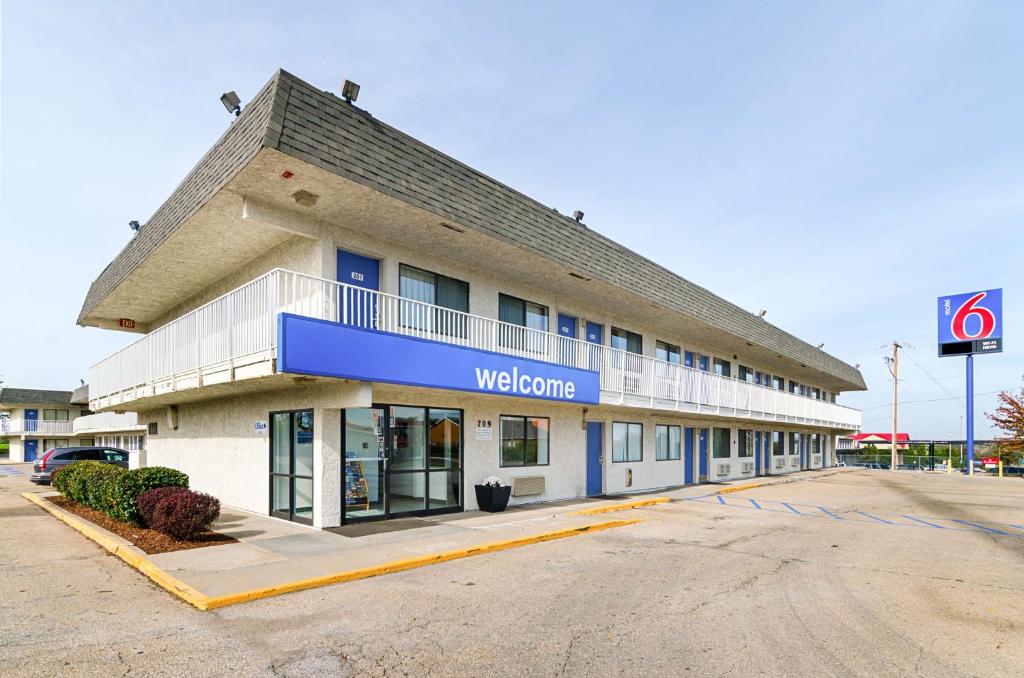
x,y
337,323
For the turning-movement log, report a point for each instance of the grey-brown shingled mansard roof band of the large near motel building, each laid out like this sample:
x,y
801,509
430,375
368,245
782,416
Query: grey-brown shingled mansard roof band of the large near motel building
x,y
318,128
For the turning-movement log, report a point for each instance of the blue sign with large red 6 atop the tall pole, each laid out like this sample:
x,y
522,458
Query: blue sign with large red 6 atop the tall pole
x,y
971,323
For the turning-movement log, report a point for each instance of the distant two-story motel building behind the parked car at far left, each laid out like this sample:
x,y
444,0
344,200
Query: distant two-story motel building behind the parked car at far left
x,y
35,420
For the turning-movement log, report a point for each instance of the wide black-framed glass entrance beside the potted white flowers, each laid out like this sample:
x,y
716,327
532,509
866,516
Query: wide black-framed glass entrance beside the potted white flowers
x,y
402,460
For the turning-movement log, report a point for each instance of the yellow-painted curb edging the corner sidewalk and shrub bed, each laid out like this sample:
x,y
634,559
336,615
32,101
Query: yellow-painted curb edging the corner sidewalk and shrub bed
x,y
203,602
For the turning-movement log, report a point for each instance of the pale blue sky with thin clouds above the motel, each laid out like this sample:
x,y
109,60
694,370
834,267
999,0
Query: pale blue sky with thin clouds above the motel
x,y
841,165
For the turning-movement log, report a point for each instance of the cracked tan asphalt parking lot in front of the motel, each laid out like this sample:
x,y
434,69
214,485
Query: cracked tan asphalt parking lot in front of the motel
x,y
820,577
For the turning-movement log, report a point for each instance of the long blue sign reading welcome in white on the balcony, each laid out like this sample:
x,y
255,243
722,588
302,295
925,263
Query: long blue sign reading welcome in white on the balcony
x,y
318,348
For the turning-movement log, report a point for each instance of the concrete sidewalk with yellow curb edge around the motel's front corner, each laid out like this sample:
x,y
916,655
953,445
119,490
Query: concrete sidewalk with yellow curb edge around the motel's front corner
x,y
274,557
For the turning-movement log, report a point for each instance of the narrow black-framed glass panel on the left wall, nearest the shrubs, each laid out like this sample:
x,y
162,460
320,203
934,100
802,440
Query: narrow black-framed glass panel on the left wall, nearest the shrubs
x,y
292,467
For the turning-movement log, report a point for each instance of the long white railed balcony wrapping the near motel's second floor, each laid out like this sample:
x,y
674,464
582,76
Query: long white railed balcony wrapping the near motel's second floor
x,y
235,337
